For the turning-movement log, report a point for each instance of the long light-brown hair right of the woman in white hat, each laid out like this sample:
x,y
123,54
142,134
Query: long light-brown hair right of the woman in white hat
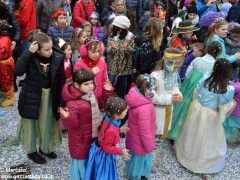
x,y
154,29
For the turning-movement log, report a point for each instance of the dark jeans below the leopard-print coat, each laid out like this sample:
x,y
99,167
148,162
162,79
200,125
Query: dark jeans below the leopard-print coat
x,y
121,84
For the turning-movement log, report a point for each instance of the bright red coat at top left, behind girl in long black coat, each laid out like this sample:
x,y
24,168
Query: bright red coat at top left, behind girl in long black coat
x,y
26,17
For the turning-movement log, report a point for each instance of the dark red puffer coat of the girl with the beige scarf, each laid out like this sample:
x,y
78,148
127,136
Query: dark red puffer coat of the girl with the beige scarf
x,y
79,123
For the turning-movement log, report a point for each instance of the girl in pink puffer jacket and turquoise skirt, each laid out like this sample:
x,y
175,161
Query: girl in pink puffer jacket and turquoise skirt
x,y
140,140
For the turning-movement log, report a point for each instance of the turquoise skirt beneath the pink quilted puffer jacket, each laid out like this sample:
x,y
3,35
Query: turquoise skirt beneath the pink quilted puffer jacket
x,y
139,166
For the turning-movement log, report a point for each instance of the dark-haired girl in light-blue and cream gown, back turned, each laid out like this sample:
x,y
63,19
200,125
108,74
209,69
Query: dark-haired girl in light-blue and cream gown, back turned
x,y
201,146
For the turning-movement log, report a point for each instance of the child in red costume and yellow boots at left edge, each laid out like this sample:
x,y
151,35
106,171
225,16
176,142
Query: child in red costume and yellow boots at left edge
x,y
7,97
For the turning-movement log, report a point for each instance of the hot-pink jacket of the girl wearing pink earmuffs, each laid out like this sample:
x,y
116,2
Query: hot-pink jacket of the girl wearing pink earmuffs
x,y
101,76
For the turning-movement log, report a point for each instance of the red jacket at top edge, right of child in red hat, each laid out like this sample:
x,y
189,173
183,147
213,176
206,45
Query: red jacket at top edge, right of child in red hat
x,y
81,14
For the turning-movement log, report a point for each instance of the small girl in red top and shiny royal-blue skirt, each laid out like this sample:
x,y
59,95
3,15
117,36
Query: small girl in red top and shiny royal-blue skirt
x,y
102,155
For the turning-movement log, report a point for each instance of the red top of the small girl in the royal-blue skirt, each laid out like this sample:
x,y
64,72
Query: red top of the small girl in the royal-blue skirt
x,y
111,138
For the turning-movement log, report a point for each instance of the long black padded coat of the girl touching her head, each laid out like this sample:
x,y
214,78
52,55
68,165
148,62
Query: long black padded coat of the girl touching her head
x,y
30,95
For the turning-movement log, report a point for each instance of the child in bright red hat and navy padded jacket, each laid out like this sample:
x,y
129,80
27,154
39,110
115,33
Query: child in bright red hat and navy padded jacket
x,y
59,28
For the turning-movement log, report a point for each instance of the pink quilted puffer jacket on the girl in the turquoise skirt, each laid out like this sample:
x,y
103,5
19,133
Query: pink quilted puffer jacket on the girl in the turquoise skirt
x,y
142,123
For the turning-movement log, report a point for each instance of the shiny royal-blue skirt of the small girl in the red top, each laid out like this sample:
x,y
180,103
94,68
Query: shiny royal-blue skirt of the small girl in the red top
x,y
101,165
